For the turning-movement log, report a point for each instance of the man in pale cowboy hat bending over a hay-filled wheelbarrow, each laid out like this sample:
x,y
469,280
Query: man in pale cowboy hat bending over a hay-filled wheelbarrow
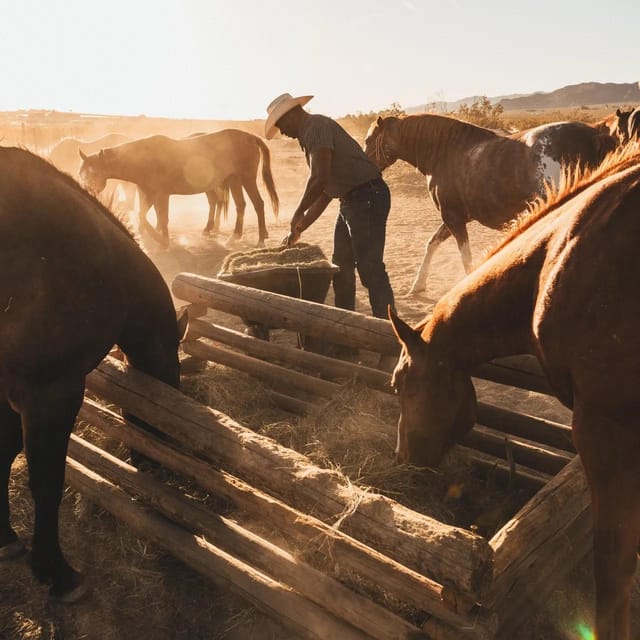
x,y
339,169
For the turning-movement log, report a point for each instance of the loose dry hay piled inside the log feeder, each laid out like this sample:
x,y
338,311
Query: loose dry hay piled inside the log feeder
x,y
354,433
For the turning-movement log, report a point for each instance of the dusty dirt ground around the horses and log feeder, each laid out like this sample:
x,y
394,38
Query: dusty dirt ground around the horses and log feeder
x,y
140,592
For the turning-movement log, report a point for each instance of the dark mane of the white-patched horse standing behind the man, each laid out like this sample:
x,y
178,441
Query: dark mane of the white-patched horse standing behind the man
x,y
415,128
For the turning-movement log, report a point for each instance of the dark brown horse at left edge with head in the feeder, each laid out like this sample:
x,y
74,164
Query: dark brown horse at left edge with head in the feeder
x,y
73,282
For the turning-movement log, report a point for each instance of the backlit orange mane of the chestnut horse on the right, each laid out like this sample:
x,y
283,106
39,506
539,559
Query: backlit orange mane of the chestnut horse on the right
x,y
573,180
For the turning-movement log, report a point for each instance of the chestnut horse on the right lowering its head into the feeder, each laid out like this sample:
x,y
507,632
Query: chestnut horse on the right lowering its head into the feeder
x,y
564,288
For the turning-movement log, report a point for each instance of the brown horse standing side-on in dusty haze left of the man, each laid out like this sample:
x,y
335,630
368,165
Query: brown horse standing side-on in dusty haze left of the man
x,y
211,163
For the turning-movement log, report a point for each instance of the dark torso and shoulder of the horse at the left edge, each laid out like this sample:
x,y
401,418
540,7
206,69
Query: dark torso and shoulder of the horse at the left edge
x,y
69,272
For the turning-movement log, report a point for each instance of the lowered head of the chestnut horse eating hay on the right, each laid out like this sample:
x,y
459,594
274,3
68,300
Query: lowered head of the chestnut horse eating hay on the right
x,y
437,400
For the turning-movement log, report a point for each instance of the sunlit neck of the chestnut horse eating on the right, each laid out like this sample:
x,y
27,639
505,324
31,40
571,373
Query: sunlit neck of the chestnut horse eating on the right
x,y
489,314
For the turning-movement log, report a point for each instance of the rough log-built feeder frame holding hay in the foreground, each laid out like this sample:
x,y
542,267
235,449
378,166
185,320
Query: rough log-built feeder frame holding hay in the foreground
x,y
460,584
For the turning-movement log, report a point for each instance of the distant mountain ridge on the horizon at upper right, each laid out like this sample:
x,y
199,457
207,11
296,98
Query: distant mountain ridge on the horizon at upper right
x,y
574,95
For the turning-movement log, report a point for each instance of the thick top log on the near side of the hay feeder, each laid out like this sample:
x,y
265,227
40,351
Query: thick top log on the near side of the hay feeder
x,y
441,551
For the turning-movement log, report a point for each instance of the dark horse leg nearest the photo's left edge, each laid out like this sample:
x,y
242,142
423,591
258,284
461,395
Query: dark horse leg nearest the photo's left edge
x,y
10,447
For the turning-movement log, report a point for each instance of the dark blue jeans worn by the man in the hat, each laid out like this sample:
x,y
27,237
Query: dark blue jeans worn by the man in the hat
x,y
358,242
